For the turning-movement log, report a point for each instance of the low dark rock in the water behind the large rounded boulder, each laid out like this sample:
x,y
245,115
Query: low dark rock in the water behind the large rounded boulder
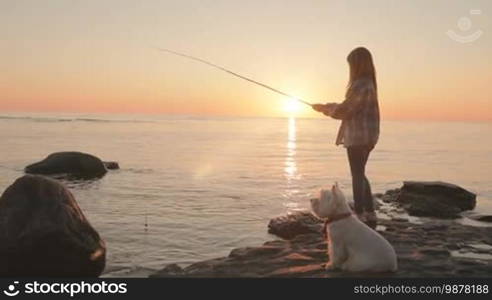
x,y
74,164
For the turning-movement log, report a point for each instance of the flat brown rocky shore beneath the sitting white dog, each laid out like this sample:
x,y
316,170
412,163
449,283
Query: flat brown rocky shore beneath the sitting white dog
x,y
440,248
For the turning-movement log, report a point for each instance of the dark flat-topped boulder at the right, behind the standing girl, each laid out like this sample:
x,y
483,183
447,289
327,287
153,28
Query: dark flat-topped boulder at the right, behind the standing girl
x,y
435,199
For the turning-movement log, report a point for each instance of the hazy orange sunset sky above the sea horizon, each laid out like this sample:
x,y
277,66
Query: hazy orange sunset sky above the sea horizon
x,y
98,57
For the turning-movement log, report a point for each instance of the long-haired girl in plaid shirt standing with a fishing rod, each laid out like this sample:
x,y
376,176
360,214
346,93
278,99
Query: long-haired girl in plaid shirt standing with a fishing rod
x,y
359,130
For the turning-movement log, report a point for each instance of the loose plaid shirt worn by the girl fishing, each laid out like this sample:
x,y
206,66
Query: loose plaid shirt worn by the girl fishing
x,y
359,114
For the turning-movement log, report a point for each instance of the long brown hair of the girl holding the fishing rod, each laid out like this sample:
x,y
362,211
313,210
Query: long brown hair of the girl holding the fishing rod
x,y
361,66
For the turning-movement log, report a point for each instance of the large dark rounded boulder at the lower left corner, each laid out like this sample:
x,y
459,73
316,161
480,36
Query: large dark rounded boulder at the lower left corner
x,y
43,232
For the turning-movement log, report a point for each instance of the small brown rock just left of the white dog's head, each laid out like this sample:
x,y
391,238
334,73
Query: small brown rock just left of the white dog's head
x,y
291,225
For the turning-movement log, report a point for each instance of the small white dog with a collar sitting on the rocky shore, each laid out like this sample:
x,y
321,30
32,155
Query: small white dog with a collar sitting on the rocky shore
x,y
352,245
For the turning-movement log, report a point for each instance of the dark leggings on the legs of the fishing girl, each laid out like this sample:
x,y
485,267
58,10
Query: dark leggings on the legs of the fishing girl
x,y
358,156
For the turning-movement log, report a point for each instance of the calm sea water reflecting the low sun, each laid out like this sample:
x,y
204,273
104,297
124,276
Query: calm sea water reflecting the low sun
x,y
207,185
